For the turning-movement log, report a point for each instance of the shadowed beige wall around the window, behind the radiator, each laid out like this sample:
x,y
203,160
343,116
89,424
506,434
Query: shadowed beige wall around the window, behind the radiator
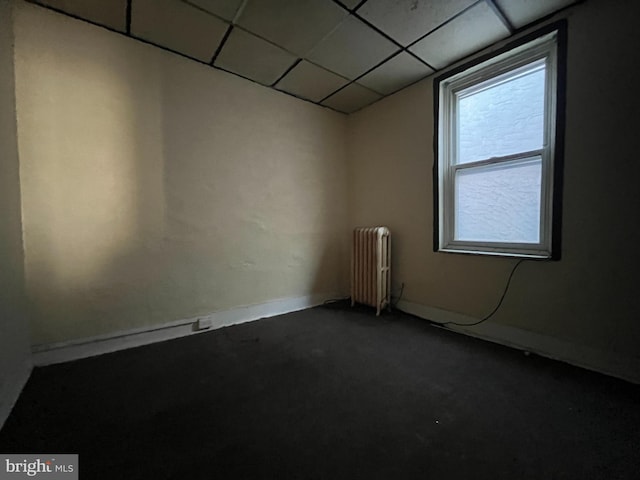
x,y
588,299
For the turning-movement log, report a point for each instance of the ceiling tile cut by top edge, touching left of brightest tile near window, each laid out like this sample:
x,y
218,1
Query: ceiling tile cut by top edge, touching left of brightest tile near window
x,y
407,20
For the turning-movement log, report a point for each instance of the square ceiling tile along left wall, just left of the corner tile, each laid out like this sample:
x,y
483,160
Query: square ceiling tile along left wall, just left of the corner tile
x,y
309,81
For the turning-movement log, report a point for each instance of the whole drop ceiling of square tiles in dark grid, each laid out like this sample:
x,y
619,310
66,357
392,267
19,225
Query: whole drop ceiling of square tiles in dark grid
x,y
342,54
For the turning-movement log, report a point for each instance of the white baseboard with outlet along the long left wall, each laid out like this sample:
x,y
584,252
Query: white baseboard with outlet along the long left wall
x,y
49,354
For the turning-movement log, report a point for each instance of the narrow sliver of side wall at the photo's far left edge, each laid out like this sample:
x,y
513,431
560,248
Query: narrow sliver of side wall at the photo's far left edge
x,y
15,361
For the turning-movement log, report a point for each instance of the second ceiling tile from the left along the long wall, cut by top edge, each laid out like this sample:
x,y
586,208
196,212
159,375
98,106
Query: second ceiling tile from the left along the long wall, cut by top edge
x,y
177,26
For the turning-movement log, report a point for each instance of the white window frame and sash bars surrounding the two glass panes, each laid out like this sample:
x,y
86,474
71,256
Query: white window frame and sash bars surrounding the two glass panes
x,y
509,64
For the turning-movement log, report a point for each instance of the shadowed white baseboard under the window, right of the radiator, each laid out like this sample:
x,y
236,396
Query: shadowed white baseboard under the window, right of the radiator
x,y
609,363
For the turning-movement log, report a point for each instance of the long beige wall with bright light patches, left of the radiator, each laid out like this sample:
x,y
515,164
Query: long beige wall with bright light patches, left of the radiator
x,y
157,189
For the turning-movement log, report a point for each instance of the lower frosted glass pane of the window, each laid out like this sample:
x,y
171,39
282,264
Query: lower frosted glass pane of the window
x,y
499,203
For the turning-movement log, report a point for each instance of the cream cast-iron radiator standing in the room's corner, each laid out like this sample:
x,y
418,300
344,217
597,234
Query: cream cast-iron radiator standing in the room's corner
x,y
371,267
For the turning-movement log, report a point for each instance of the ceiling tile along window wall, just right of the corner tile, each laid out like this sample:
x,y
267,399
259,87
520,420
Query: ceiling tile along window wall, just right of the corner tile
x,y
395,73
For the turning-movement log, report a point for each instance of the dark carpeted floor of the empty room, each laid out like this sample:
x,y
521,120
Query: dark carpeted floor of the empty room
x,y
329,393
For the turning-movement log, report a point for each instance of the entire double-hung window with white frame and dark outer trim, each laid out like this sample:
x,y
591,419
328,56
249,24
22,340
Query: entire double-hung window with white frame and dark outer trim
x,y
498,152
